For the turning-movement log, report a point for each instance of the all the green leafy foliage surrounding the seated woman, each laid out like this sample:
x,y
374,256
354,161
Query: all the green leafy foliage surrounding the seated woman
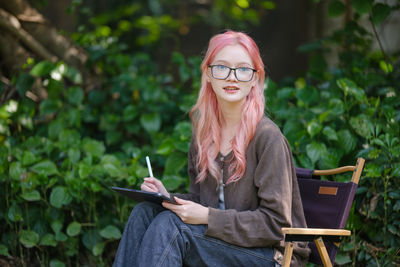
x,y
59,157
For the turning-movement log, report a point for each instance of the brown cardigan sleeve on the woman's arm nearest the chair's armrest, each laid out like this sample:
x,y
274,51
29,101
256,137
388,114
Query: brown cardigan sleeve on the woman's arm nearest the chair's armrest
x,y
273,178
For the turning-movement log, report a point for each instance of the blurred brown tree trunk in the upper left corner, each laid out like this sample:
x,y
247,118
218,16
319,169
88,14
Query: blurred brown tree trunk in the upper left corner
x,y
26,33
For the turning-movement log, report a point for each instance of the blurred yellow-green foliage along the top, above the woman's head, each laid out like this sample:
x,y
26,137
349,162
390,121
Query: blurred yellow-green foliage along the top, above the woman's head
x,y
144,25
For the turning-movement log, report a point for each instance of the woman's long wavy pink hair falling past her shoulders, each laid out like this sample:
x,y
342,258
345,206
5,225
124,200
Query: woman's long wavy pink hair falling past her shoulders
x,y
207,117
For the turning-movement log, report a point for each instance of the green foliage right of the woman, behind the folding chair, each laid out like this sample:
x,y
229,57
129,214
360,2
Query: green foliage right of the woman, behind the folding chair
x,y
332,116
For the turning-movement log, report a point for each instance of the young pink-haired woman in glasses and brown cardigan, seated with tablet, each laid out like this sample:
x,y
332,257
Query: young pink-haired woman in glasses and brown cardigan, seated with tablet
x,y
243,187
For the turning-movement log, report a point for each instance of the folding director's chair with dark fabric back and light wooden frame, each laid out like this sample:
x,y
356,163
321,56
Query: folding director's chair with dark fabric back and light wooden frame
x,y
326,207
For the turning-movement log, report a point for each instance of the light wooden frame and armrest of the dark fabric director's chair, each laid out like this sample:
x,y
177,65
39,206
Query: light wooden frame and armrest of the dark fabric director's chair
x,y
318,235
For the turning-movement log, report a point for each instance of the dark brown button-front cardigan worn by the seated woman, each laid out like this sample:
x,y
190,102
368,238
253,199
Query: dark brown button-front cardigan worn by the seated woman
x,y
263,201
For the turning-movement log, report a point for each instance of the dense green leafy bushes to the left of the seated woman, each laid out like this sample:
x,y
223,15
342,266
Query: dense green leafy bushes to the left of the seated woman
x,y
59,157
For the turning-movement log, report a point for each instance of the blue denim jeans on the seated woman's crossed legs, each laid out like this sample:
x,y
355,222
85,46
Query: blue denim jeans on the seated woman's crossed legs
x,y
154,236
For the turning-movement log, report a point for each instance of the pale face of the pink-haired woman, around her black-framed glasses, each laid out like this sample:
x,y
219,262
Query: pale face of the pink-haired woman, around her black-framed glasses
x,y
231,89
